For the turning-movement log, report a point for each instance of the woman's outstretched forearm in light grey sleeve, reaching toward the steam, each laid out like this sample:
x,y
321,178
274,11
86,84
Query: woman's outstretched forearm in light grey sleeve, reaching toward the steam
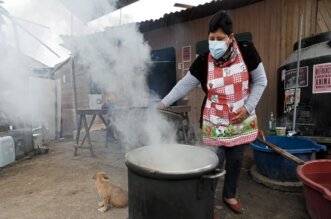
x,y
182,88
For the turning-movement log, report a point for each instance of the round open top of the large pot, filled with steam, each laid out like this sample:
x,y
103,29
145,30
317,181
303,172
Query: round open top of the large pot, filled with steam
x,y
172,159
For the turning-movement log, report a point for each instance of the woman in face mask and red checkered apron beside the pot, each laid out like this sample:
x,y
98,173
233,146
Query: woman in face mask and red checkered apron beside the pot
x,y
233,78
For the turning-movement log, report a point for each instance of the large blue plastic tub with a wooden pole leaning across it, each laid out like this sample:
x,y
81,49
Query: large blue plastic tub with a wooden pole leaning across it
x,y
273,165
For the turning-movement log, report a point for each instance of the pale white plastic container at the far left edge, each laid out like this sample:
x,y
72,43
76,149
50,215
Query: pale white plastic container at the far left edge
x,y
7,150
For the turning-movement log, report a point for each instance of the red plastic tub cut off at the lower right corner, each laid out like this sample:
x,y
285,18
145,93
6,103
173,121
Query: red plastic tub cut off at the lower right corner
x,y
316,177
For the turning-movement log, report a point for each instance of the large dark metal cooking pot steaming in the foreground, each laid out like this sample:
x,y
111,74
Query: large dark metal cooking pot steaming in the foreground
x,y
172,181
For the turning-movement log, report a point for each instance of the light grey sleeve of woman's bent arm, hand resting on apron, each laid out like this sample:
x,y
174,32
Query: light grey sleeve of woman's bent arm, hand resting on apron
x,y
258,84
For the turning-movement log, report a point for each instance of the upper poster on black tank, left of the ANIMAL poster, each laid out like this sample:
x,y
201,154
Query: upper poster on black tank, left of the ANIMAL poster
x,y
290,78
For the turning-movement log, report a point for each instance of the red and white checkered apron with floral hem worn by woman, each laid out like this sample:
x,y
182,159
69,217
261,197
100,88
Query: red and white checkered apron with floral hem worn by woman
x,y
227,91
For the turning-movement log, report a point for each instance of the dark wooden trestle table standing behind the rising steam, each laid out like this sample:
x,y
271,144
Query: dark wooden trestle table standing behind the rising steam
x,y
82,113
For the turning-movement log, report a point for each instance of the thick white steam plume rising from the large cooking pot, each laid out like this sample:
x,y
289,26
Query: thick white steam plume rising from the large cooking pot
x,y
118,60
